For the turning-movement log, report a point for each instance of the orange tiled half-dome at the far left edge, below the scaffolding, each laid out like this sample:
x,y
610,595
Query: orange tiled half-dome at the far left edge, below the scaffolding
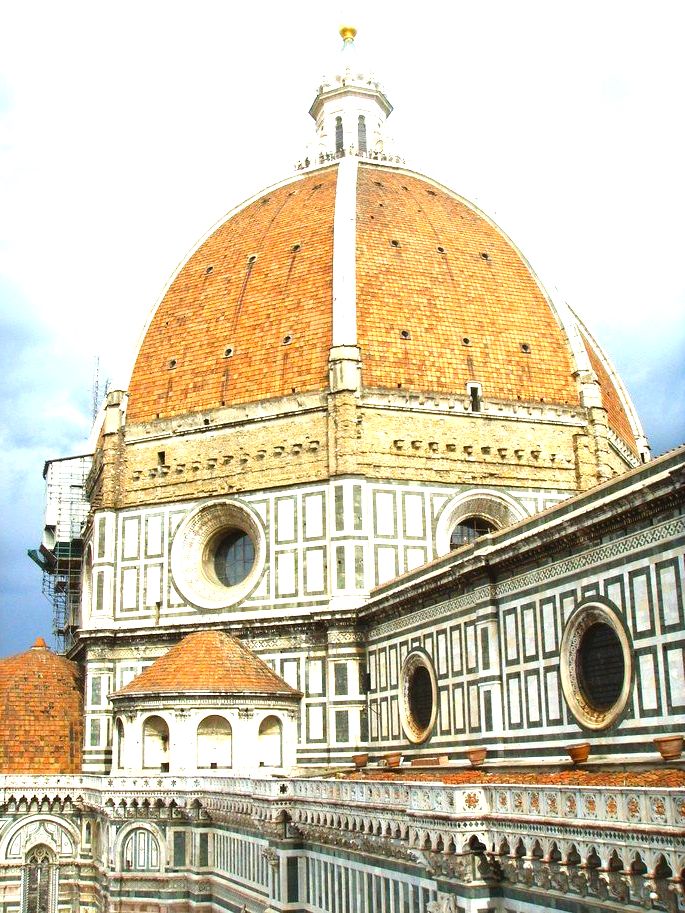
x,y
41,713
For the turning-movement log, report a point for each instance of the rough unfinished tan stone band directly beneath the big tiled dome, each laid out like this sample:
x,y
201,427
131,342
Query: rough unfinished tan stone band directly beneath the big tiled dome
x,y
381,435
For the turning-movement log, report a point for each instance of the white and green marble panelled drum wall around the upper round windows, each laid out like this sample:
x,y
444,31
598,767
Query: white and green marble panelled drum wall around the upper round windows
x,y
330,541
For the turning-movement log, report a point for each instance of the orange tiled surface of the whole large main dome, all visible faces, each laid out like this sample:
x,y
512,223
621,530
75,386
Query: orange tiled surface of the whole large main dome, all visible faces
x,y
442,297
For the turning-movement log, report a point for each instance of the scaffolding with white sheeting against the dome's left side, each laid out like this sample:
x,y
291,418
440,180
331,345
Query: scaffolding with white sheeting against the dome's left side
x,y
60,554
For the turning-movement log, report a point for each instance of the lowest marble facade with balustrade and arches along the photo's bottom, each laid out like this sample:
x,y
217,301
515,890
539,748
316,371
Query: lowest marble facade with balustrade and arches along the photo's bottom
x,y
176,844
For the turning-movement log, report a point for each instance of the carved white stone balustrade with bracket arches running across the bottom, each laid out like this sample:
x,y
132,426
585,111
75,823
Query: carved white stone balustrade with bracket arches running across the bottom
x,y
596,827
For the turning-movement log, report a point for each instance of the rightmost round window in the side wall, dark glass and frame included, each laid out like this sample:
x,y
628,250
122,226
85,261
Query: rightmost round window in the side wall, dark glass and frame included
x,y
596,665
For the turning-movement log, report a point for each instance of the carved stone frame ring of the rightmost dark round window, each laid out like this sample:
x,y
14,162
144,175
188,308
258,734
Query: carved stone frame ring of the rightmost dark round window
x,y
581,620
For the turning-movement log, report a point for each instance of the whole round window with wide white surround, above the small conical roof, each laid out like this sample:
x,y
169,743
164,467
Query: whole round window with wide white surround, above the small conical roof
x,y
217,555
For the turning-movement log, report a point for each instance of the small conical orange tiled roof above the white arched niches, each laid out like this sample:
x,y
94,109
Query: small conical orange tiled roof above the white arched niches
x,y
208,662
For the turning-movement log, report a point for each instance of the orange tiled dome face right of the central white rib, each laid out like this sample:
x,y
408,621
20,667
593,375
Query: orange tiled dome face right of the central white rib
x,y
452,276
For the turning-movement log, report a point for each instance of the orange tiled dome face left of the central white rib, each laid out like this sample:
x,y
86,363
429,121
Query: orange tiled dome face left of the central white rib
x,y
221,300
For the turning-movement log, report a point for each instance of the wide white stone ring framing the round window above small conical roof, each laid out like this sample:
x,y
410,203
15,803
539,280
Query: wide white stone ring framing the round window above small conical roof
x,y
192,554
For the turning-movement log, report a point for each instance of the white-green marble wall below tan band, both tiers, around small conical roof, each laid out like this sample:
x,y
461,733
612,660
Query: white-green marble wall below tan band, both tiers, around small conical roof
x,y
324,548
